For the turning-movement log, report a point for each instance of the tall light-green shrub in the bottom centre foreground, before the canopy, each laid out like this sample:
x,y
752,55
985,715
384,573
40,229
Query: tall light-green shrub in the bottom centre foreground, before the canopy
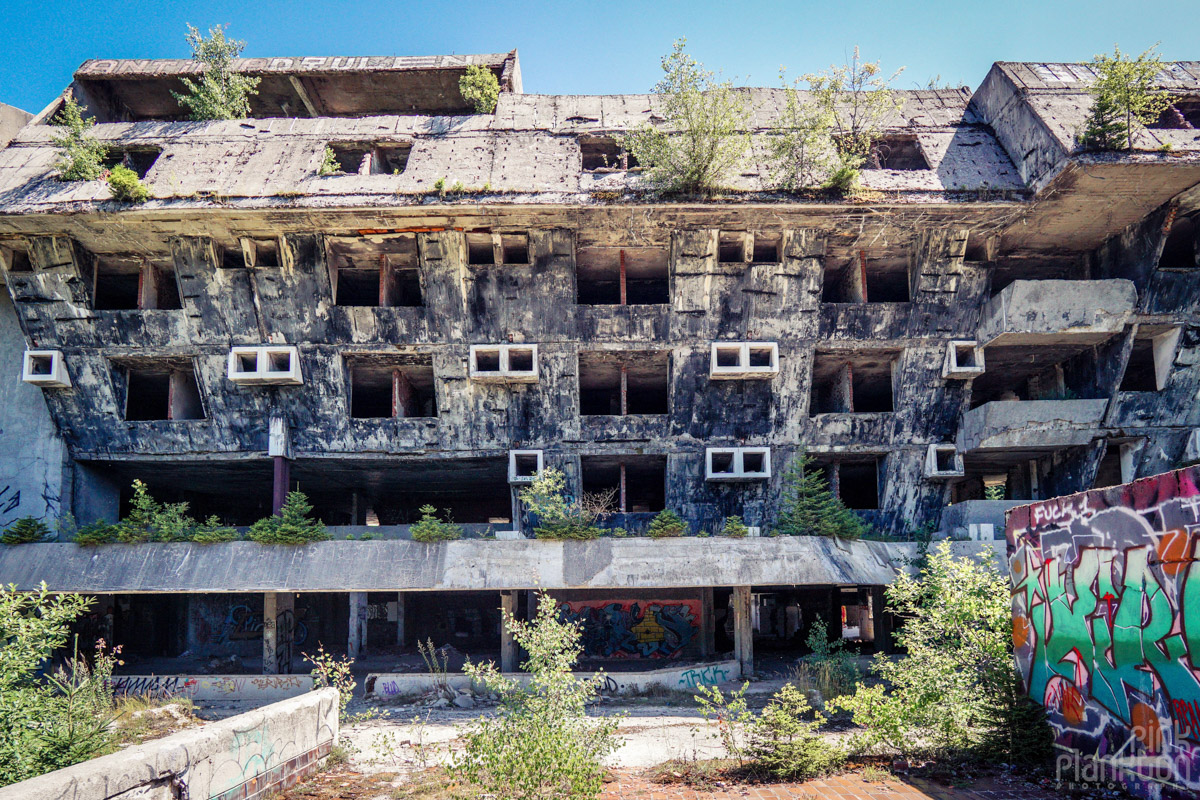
x,y
542,744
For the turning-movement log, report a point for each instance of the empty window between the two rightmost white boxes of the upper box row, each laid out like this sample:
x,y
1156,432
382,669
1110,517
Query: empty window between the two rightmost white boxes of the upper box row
x,y
854,384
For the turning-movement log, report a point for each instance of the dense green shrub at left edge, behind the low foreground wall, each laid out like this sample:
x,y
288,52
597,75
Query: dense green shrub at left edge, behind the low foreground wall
x,y
47,724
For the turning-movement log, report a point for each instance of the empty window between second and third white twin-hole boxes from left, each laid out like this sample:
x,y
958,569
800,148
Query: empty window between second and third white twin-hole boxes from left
x,y
383,388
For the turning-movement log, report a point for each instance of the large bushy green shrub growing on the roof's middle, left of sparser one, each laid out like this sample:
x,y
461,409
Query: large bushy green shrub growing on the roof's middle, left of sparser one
x,y
704,137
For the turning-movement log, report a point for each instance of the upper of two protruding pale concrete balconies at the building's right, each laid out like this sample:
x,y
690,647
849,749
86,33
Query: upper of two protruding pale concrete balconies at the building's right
x,y
1057,312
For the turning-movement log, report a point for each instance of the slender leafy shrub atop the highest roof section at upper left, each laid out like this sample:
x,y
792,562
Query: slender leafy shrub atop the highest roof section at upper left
x,y
221,93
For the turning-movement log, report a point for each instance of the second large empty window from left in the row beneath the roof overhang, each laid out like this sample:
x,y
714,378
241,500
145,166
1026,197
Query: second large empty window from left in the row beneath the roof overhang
x,y
375,273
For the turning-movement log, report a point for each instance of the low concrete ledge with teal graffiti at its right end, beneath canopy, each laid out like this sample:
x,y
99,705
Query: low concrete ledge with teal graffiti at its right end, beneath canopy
x,y
683,677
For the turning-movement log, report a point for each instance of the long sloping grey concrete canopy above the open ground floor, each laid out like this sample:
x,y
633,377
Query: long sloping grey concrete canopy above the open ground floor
x,y
465,564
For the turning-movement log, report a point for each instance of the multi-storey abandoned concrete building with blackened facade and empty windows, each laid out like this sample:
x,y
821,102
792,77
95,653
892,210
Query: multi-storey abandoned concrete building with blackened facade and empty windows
x,y
473,298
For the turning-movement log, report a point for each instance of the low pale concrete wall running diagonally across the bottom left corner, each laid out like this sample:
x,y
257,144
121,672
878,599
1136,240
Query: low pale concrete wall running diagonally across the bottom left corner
x,y
248,756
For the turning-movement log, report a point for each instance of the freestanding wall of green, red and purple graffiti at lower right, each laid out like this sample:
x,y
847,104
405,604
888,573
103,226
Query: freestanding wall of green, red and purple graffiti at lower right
x,y
1107,629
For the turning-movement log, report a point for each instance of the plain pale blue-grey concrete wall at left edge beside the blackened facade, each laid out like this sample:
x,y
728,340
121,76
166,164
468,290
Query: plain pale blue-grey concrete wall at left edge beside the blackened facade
x,y
32,466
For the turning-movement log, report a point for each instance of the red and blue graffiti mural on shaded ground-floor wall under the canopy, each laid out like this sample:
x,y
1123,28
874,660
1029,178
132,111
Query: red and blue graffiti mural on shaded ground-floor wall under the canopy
x,y
634,629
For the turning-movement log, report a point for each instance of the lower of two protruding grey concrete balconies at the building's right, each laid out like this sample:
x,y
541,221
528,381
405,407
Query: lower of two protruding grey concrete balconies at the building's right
x,y
1030,425
